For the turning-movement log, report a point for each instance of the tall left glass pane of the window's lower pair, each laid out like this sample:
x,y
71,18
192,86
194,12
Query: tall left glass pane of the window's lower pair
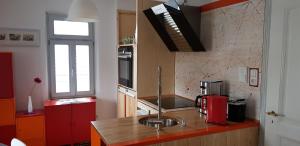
x,y
62,75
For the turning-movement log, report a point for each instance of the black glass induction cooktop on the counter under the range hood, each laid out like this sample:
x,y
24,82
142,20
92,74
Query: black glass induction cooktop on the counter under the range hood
x,y
172,102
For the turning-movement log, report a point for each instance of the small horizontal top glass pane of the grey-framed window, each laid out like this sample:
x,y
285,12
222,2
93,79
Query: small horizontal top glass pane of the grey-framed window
x,y
71,28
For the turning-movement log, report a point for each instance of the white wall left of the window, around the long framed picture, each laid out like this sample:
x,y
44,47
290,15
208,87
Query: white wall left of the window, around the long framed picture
x,y
29,62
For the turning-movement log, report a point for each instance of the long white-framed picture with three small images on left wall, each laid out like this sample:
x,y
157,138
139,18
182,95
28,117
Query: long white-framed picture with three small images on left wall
x,y
19,37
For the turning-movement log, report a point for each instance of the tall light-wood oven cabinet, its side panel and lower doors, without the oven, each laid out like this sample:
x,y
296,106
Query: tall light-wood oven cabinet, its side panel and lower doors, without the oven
x,y
149,53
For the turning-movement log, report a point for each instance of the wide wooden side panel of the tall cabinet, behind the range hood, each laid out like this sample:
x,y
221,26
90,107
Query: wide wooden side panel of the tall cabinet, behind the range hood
x,y
151,53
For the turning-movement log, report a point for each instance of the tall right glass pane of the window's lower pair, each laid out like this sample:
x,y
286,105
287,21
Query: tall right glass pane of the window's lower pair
x,y
83,67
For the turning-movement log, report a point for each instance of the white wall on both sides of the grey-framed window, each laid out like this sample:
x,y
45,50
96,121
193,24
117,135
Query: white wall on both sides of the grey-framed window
x,y
30,62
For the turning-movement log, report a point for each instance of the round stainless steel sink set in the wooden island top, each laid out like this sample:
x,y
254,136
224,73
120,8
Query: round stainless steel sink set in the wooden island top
x,y
164,121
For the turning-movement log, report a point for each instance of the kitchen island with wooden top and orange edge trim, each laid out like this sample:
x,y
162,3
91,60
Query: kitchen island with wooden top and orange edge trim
x,y
128,131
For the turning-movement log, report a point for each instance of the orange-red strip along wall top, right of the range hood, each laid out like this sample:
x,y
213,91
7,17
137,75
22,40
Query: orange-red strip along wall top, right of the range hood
x,y
219,4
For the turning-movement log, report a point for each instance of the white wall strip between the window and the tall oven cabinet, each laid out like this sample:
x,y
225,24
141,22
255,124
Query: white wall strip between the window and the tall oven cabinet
x,y
106,40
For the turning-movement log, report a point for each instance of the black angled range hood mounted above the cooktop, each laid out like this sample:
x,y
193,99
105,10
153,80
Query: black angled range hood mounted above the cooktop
x,y
177,25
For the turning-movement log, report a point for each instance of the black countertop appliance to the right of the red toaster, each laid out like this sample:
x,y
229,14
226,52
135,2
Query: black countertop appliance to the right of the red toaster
x,y
236,110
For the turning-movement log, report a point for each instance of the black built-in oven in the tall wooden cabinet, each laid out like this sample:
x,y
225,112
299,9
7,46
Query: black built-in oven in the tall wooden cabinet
x,y
125,65
